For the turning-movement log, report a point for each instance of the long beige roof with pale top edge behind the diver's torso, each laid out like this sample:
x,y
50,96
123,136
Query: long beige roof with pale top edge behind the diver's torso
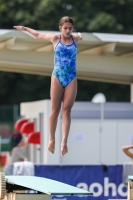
x,y
101,56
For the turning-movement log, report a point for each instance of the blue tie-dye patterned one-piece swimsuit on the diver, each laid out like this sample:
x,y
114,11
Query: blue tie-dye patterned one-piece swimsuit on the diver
x,y
65,62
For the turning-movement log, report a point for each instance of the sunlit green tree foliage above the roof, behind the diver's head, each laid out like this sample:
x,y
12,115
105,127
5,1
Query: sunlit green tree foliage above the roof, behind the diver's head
x,y
111,16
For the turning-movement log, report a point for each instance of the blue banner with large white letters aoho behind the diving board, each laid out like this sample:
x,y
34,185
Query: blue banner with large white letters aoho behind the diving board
x,y
105,182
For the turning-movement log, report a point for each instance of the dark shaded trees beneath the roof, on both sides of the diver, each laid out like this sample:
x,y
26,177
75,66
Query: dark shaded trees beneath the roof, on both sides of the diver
x,y
17,88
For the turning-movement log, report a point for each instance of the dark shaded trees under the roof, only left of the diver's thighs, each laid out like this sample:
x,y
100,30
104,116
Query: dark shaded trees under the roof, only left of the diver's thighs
x,y
17,88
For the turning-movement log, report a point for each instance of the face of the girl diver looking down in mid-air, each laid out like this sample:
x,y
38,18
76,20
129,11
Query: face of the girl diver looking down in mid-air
x,y
66,29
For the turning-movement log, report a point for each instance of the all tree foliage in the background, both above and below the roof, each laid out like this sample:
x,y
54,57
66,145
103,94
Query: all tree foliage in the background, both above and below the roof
x,y
108,16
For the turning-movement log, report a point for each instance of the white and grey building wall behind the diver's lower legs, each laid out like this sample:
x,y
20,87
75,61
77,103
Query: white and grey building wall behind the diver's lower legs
x,y
92,139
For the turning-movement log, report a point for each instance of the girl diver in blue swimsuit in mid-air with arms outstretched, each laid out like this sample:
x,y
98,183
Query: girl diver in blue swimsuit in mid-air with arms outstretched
x,y
63,79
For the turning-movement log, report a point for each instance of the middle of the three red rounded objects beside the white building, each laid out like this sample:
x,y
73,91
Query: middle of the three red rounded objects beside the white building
x,y
27,127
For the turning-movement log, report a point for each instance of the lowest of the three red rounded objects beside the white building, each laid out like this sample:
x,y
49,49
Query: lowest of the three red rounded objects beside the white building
x,y
34,138
